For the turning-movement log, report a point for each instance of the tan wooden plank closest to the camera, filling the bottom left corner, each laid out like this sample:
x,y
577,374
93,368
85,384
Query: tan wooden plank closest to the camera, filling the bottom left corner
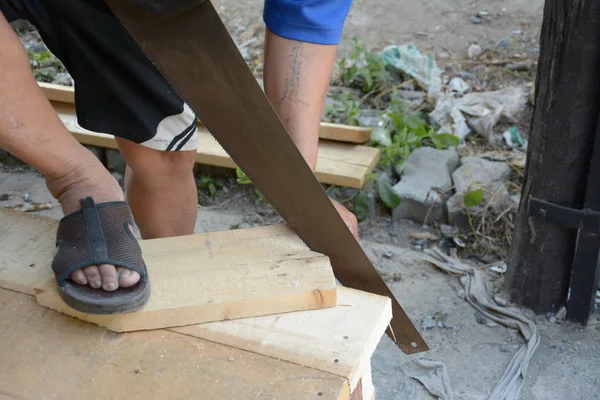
x,y
48,355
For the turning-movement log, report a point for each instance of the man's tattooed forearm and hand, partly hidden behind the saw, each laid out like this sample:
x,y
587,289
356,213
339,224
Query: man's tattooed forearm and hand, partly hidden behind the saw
x,y
296,79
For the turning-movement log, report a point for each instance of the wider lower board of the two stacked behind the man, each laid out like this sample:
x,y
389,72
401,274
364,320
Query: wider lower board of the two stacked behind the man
x,y
337,163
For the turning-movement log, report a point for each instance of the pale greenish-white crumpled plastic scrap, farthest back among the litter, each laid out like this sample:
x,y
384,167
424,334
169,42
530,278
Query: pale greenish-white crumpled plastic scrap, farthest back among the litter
x,y
408,60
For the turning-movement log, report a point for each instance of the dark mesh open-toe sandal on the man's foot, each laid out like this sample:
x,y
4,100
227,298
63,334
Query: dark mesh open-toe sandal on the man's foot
x,y
99,234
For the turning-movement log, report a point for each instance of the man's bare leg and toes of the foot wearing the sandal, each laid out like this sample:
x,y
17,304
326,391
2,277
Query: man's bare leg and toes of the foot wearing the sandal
x,y
30,130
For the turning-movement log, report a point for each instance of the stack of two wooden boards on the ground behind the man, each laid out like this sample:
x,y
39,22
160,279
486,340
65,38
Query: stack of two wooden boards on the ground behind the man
x,y
342,161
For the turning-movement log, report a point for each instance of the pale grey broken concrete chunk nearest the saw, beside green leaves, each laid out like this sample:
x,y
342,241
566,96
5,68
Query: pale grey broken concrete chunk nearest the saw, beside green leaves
x,y
425,184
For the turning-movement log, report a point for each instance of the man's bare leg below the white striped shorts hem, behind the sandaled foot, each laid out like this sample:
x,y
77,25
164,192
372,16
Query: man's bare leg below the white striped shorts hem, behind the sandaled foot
x,y
160,189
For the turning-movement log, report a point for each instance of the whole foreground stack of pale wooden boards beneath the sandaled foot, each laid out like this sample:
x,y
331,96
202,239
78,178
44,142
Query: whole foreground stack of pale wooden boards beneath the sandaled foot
x,y
322,352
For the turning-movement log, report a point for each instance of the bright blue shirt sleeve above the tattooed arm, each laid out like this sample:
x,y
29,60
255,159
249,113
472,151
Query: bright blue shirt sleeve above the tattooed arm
x,y
314,21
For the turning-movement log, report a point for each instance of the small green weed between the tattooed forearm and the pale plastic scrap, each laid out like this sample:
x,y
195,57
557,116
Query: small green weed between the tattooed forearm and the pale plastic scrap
x,y
363,69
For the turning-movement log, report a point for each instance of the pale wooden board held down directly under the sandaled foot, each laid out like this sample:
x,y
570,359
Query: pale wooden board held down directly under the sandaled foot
x,y
219,276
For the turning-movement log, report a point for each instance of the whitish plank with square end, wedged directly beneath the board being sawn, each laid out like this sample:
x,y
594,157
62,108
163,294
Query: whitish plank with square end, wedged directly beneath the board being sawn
x,y
338,340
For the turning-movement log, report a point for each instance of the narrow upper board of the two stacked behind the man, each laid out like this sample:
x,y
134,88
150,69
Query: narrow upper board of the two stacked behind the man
x,y
338,132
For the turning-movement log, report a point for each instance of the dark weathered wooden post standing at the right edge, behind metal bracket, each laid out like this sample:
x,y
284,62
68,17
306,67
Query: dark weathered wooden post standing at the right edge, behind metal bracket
x,y
567,105
